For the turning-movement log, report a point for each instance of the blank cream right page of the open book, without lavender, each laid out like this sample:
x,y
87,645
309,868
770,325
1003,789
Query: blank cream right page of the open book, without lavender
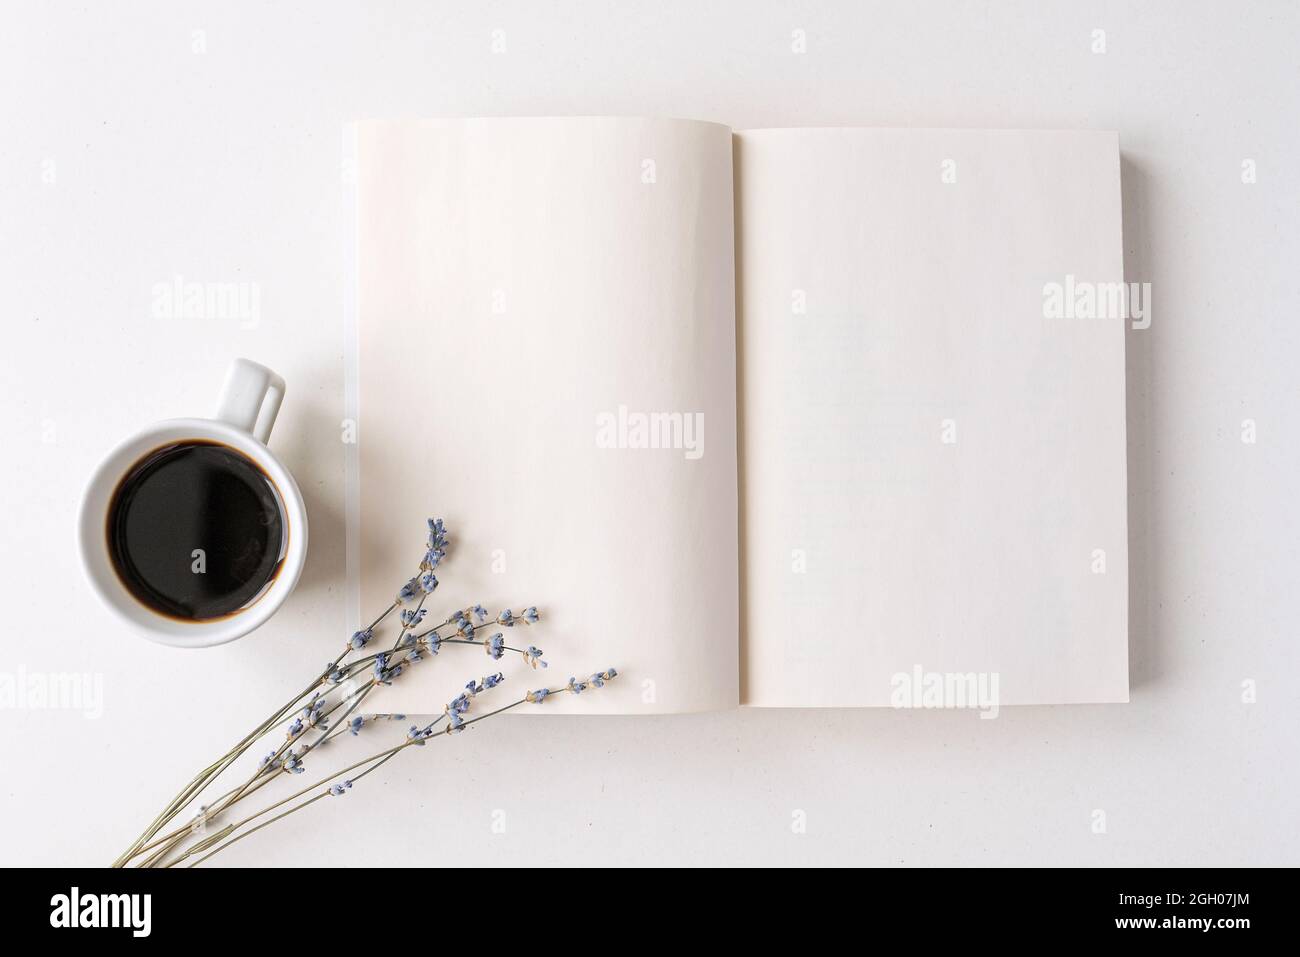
x,y
934,475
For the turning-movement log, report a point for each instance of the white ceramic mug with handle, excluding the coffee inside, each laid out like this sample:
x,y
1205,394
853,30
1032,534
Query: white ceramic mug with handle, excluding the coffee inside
x,y
246,414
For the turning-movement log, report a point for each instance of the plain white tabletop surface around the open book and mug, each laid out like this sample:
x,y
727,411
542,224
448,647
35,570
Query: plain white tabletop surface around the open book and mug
x,y
224,167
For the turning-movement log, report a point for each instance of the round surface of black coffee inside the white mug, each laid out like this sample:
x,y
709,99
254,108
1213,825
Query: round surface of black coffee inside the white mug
x,y
197,531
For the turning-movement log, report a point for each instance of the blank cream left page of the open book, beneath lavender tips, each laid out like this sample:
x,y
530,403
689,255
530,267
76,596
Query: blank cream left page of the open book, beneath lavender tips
x,y
547,361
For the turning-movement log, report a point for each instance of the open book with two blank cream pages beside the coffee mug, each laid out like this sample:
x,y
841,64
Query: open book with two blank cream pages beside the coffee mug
x,y
760,418
